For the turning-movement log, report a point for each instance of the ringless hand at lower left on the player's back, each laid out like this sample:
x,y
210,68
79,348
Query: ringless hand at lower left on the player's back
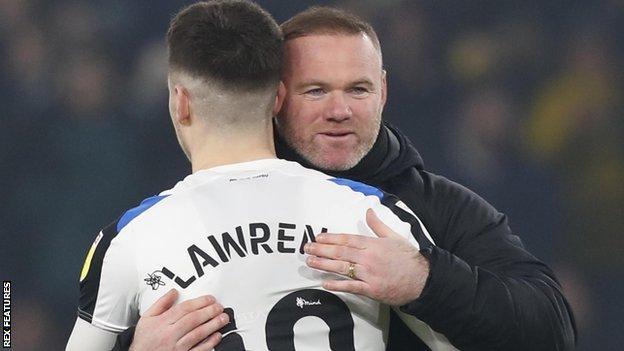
x,y
190,325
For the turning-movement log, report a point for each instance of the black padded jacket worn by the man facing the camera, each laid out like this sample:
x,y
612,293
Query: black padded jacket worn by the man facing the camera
x,y
485,291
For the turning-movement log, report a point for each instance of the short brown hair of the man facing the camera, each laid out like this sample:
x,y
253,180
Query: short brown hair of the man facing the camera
x,y
327,20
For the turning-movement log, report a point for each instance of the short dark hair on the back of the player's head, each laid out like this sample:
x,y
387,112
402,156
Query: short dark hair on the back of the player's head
x,y
232,43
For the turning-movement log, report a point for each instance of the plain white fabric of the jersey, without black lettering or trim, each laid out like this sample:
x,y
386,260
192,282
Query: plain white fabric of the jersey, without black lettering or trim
x,y
218,200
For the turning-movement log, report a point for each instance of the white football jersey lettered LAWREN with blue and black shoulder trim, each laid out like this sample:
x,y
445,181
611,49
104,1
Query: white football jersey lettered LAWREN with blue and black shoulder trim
x,y
237,232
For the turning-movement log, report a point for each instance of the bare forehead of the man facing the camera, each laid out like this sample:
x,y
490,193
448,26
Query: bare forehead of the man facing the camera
x,y
332,55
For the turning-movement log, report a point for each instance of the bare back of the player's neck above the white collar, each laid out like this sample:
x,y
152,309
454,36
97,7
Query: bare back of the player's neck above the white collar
x,y
219,151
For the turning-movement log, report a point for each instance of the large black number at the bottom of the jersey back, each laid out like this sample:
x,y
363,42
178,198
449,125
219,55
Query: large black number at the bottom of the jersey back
x,y
279,327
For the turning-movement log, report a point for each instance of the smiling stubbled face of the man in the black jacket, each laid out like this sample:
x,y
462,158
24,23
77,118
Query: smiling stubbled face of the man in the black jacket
x,y
335,93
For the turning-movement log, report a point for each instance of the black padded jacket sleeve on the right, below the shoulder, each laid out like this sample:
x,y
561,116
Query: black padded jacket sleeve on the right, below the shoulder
x,y
485,291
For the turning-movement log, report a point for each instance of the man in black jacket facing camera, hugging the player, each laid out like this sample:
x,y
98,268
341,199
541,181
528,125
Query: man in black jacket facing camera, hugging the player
x,y
481,289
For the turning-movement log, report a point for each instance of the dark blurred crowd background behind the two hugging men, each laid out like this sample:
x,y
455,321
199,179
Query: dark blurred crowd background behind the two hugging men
x,y
520,101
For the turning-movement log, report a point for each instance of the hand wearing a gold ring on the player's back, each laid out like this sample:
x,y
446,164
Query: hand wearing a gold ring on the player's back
x,y
388,269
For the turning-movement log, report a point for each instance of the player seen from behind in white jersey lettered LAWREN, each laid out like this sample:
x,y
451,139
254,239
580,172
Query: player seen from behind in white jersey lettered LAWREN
x,y
237,228
